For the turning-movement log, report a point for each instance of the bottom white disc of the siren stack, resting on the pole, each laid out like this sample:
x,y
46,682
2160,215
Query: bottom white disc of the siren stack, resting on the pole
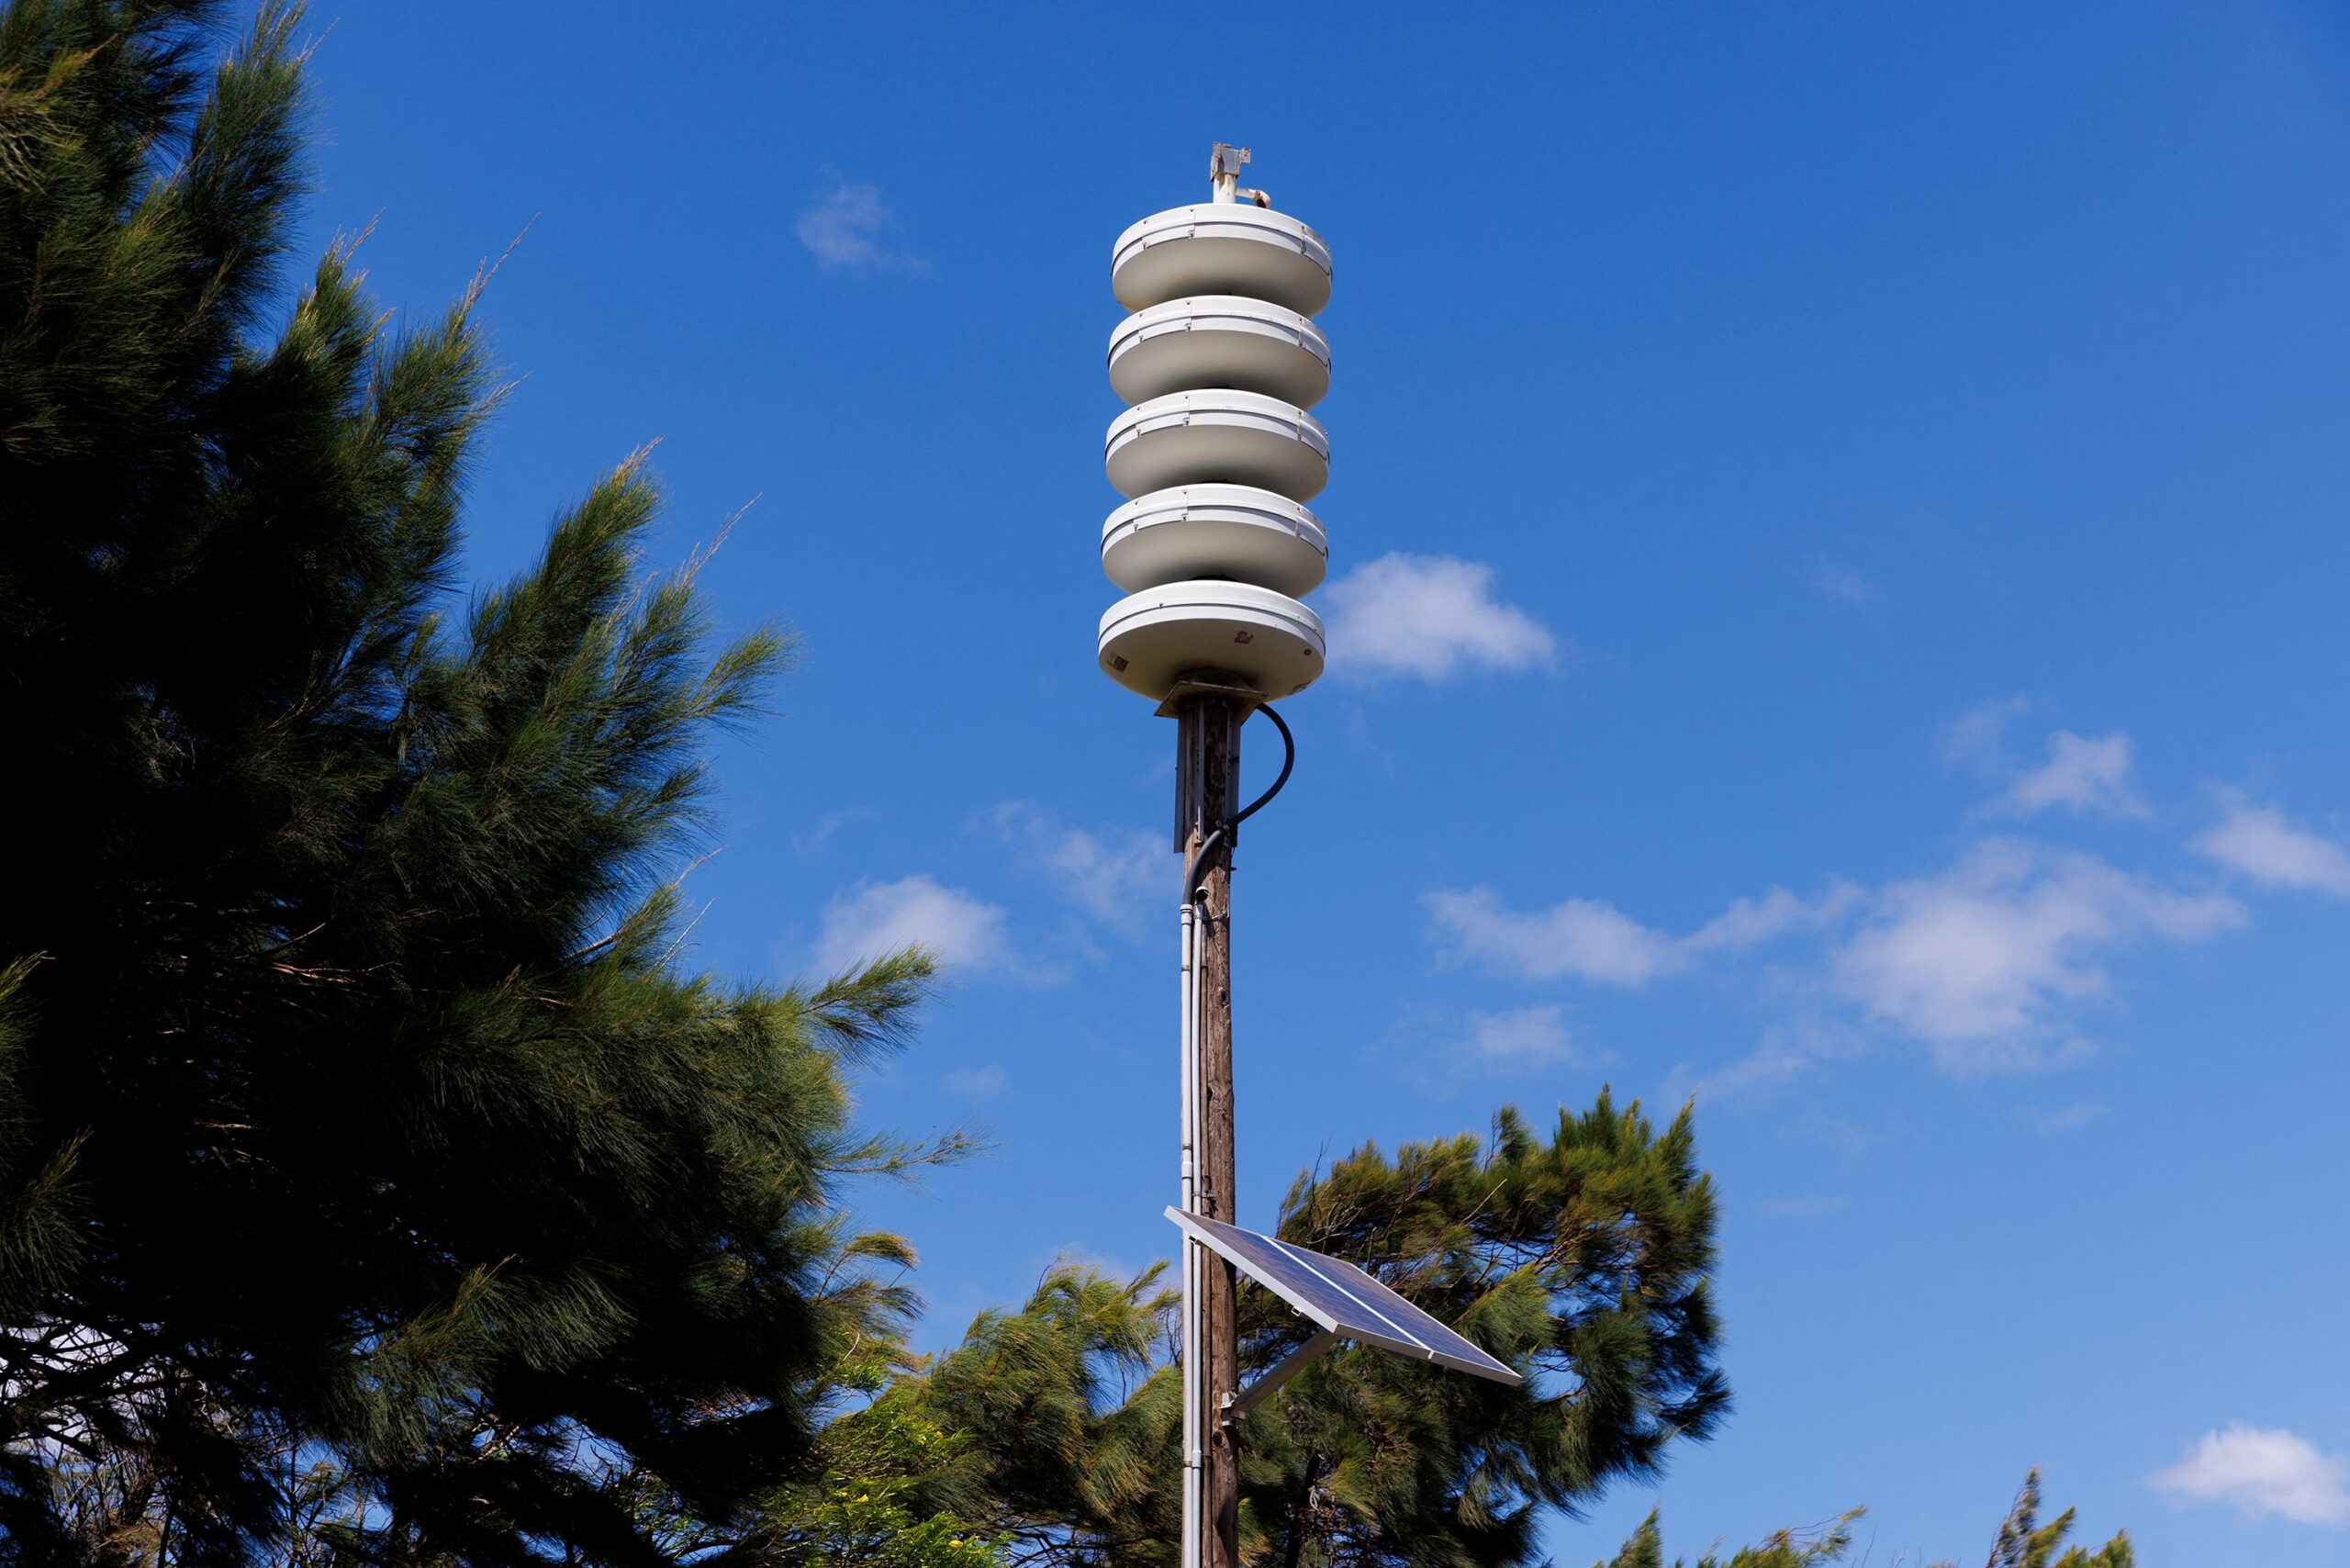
x,y
1162,634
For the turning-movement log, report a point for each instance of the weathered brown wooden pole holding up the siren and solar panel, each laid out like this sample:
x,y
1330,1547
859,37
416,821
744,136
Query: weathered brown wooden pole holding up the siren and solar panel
x,y
1207,798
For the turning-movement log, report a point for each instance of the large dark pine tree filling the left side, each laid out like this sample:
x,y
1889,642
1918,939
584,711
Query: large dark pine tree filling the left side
x,y
372,1172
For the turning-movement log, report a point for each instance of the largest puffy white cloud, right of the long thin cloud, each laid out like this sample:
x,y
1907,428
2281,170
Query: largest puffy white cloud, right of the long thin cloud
x,y
2003,942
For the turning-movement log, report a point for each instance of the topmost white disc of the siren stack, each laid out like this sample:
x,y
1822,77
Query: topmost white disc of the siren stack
x,y
1221,248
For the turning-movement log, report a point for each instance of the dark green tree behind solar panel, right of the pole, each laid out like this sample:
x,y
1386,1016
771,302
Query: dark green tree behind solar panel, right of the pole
x,y
1583,1261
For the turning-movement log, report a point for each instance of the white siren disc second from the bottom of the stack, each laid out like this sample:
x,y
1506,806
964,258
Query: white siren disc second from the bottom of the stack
x,y
1216,532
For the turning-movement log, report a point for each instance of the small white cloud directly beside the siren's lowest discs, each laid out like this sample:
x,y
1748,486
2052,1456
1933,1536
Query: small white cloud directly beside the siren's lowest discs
x,y
1428,617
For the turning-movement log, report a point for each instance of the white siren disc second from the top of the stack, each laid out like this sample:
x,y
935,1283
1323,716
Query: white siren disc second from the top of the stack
x,y
1218,340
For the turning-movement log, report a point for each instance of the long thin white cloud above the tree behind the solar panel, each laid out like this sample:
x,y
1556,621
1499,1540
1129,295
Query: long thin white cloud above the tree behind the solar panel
x,y
1597,942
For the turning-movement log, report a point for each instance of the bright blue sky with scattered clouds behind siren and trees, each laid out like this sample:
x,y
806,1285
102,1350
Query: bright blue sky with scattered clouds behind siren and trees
x,y
1837,608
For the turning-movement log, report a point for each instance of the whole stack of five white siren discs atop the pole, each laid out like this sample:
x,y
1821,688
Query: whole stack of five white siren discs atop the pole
x,y
1218,453
